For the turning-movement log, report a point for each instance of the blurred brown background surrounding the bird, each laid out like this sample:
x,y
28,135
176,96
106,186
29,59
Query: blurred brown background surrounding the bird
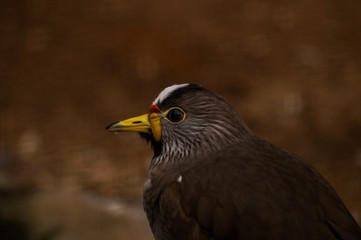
x,y
69,68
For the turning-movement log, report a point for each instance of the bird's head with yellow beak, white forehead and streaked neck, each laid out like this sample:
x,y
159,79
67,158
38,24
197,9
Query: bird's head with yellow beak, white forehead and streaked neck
x,y
187,119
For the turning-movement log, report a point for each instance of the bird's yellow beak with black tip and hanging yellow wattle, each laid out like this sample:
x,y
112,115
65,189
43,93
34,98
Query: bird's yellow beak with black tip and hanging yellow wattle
x,y
147,123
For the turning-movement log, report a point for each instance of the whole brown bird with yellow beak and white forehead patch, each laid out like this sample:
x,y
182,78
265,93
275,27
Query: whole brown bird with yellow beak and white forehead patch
x,y
211,177
